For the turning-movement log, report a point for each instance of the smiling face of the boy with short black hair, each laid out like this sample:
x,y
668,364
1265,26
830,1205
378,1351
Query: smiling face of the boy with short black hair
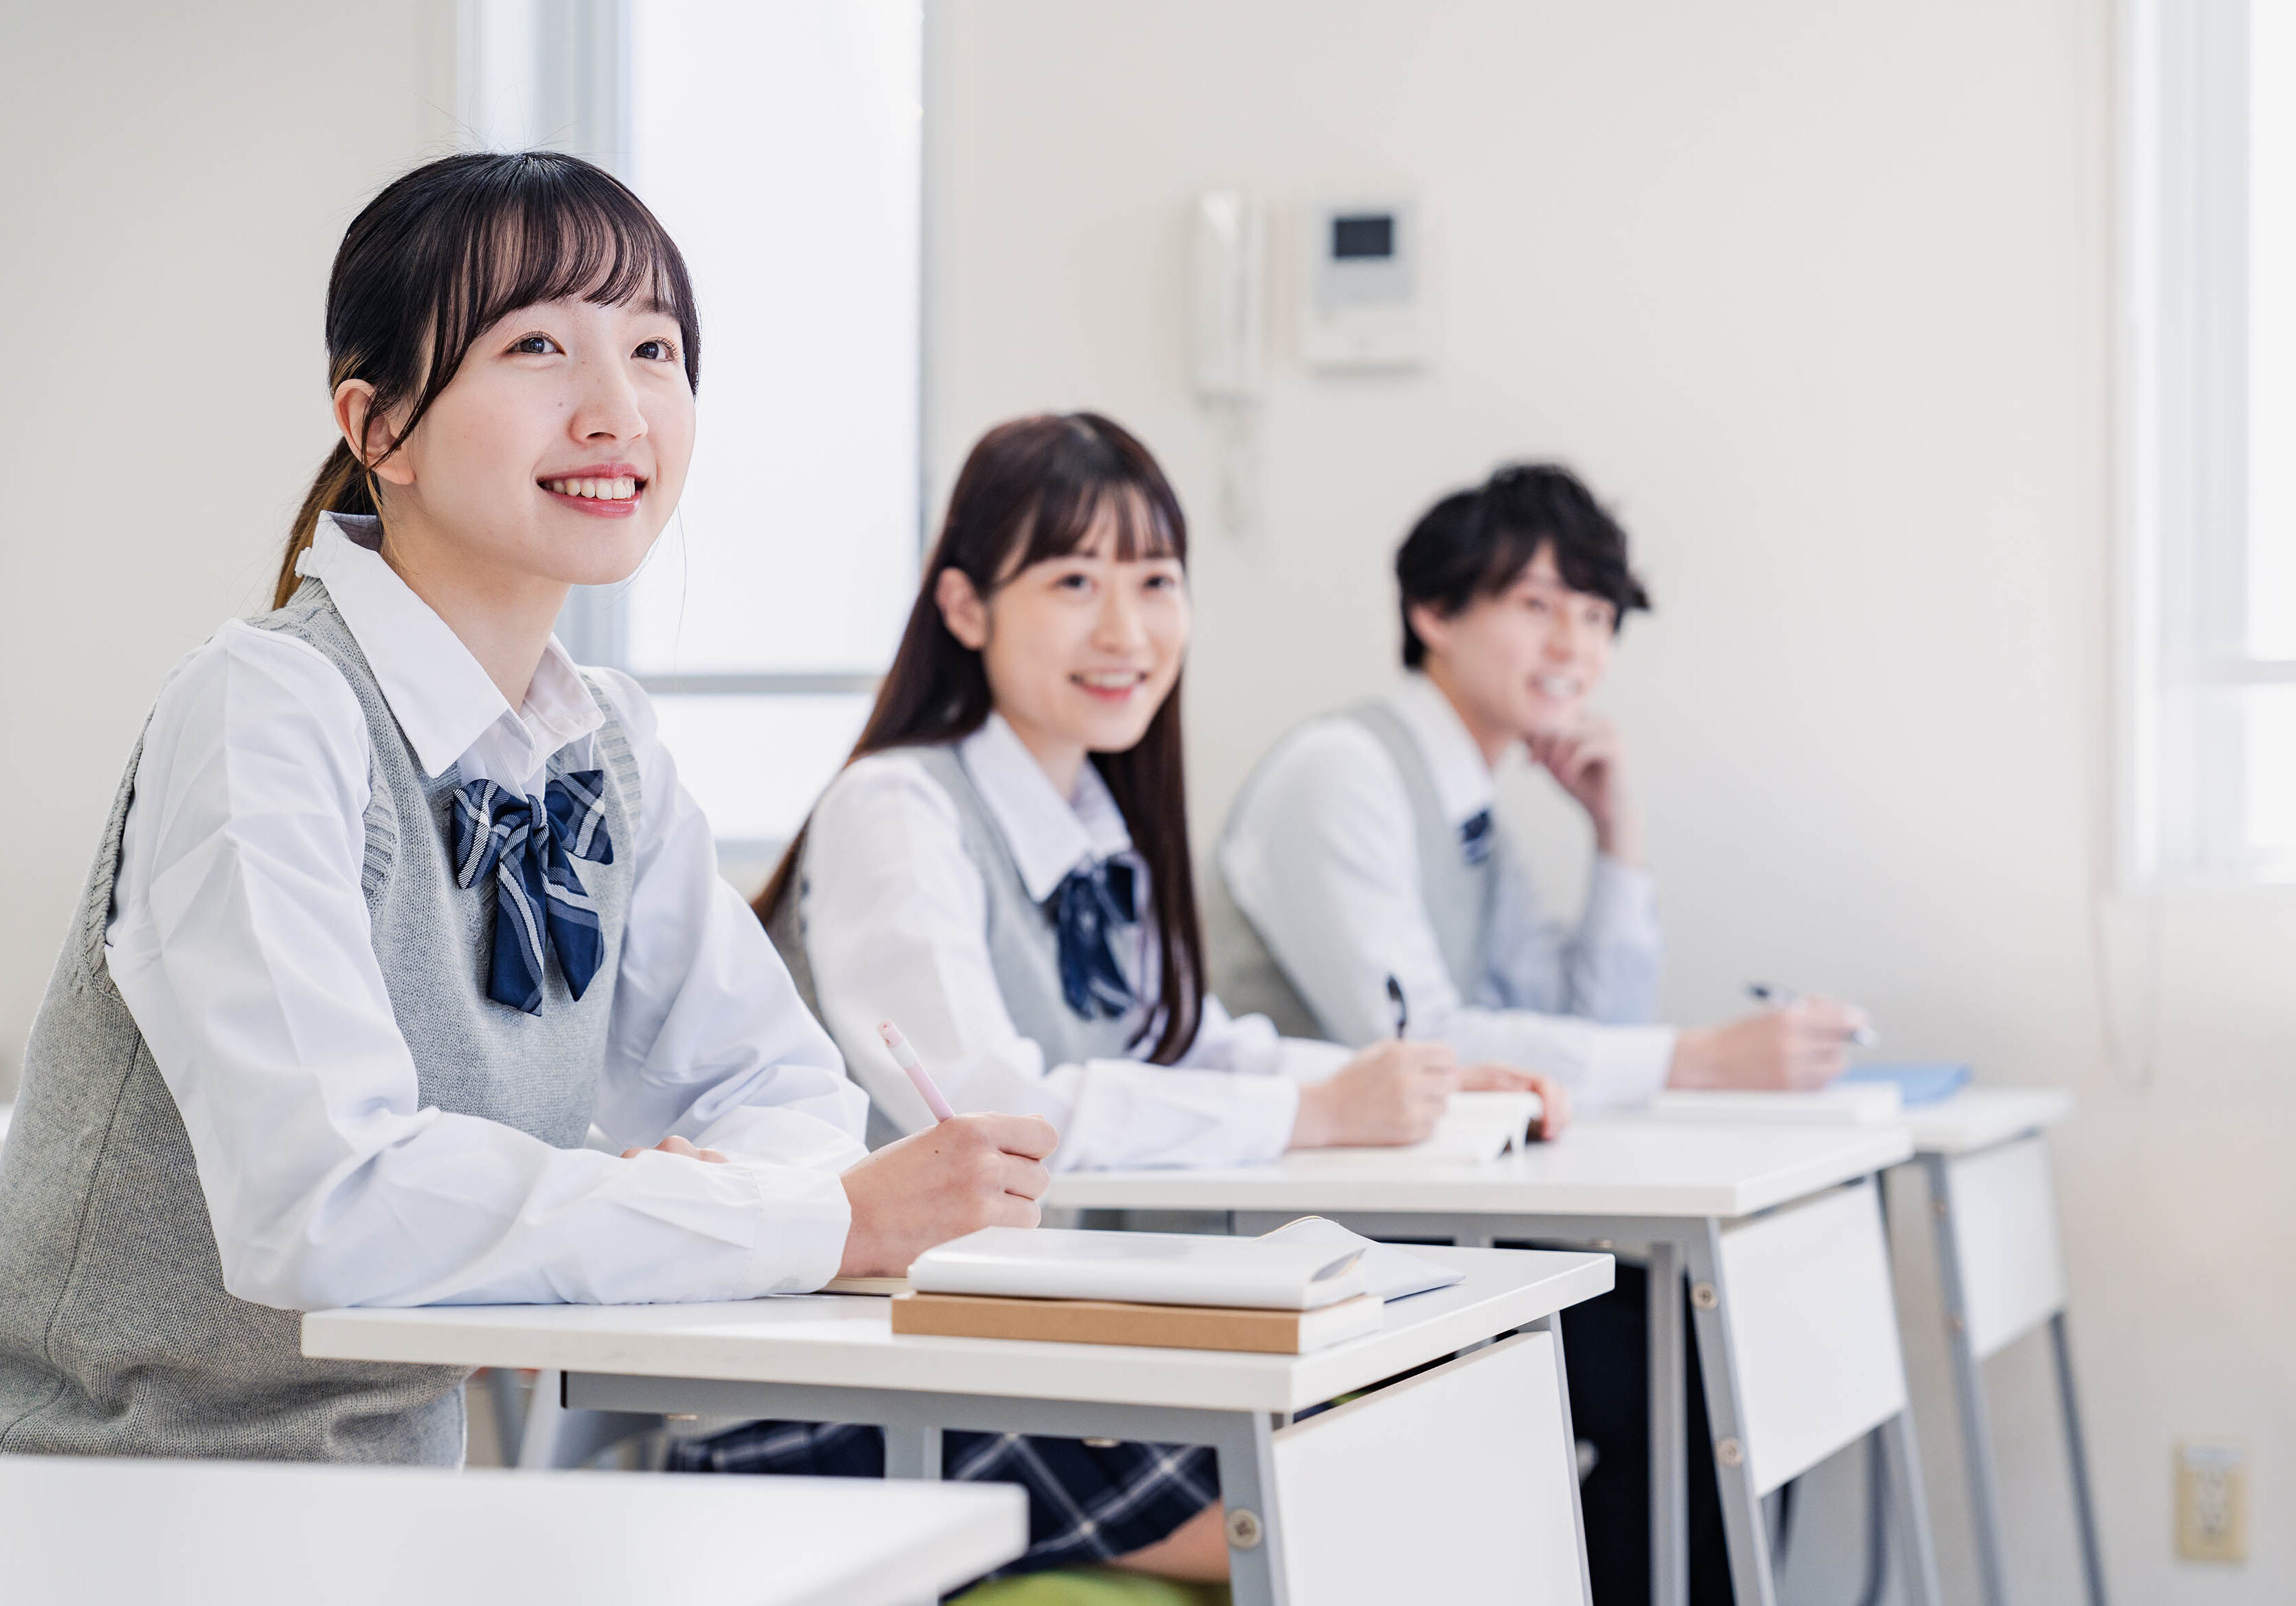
x,y
1528,658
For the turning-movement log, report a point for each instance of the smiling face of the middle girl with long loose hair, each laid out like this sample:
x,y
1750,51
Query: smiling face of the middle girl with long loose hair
x,y
1080,651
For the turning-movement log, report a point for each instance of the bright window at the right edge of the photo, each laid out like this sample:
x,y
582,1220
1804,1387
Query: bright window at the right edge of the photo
x,y
2210,272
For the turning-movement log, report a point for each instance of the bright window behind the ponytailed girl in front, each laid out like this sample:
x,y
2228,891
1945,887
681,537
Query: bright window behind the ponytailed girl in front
x,y
782,146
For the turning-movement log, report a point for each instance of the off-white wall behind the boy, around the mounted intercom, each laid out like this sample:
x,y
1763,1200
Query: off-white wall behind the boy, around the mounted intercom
x,y
1817,295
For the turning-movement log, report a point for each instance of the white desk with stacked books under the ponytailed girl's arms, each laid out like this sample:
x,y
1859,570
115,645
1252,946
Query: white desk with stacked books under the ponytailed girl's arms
x,y
1314,1506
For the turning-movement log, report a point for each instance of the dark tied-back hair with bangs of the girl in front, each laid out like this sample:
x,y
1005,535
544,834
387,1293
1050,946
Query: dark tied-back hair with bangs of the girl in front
x,y
453,247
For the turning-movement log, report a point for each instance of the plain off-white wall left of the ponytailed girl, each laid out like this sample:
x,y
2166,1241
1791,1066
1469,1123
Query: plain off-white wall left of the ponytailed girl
x,y
176,187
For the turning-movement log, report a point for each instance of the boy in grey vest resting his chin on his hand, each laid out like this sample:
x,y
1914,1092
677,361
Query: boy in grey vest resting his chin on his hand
x,y
1365,847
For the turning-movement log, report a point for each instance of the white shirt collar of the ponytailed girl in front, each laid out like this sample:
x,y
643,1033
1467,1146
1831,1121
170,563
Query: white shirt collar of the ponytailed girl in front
x,y
440,695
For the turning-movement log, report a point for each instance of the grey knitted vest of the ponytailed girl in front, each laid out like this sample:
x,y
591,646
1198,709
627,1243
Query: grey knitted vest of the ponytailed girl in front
x,y
116,1331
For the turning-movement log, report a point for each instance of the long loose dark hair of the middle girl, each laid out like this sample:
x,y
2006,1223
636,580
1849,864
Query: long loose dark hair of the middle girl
x,y
1032,491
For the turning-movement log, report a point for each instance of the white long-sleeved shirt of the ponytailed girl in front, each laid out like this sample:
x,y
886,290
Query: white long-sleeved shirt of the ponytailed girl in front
x,y
240,941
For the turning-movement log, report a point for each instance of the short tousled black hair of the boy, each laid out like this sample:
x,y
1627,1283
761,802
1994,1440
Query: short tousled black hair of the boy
x,y
1477,543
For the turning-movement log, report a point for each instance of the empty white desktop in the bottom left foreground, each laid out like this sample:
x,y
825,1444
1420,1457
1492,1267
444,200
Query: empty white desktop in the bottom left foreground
x,y
240,1534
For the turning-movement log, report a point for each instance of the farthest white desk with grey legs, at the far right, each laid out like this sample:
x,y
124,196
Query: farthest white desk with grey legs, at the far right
x,y
2001,1265
